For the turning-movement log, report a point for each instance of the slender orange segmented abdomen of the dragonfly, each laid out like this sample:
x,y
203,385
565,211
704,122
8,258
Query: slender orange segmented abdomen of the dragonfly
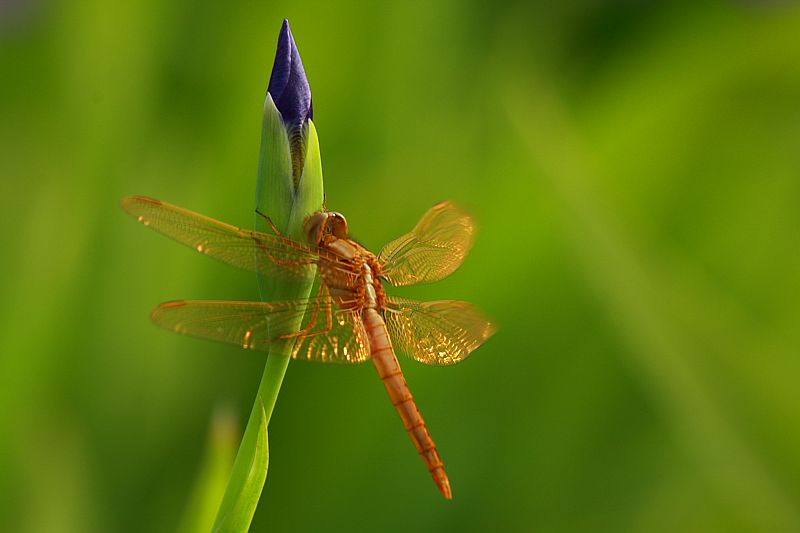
x,y
388,368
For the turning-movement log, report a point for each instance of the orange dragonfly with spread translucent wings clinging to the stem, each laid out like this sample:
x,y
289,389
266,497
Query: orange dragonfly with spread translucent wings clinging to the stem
x,y
349,318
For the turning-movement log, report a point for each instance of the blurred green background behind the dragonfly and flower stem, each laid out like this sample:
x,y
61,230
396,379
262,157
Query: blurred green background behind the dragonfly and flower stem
x,y
635,171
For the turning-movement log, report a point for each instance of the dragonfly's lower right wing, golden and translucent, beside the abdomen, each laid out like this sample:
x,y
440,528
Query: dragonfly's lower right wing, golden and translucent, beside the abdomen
x,y
443,332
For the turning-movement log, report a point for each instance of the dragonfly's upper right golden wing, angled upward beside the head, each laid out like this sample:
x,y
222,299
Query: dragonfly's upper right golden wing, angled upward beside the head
x,y
433,250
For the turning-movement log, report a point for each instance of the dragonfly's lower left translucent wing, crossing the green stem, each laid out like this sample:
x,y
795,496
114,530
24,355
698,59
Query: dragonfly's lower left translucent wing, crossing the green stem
x,y
330,331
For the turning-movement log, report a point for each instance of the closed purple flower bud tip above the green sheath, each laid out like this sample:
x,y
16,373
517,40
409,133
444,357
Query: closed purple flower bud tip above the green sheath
x,y
288,84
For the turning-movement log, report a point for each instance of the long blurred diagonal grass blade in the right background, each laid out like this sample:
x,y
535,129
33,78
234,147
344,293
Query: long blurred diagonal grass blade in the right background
x,y
659,354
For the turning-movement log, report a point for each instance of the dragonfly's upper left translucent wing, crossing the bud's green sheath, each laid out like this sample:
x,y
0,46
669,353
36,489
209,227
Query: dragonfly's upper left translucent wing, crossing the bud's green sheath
x,y
268,253
